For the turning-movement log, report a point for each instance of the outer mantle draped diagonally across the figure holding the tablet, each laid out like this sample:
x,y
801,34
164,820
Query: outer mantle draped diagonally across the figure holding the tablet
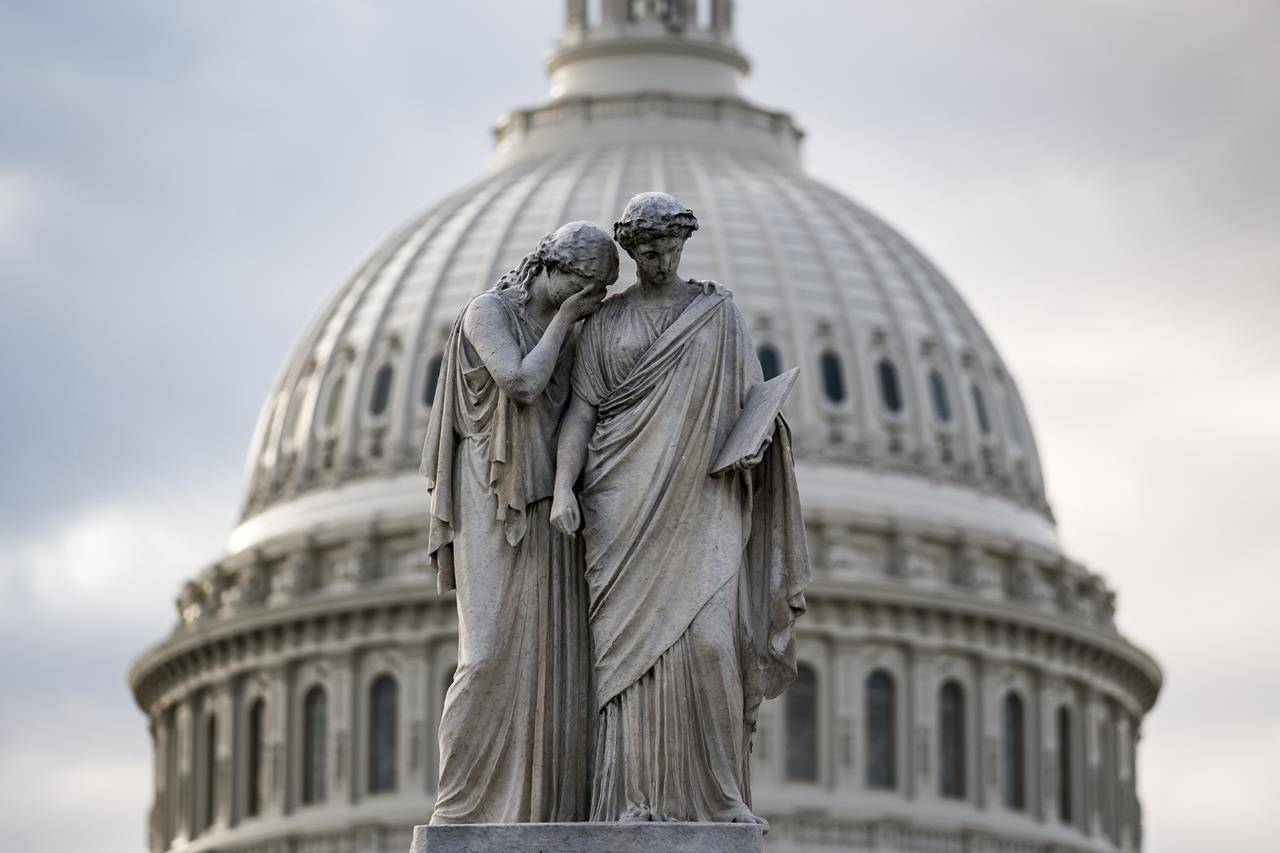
x,y
662,536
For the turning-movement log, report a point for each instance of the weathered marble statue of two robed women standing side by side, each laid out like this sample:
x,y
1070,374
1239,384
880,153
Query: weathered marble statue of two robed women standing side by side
x,y
618,512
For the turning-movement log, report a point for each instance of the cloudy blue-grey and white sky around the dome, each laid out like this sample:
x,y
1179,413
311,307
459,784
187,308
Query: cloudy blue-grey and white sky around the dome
x,y
184,184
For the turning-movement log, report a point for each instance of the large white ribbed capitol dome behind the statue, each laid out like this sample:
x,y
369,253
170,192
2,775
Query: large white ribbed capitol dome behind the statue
x,y
961,678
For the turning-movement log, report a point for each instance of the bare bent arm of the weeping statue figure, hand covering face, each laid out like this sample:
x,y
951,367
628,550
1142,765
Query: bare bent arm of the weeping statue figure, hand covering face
x,y
523,377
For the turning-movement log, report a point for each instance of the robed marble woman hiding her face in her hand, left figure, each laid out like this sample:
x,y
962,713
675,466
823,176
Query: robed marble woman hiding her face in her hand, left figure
x,y
514,735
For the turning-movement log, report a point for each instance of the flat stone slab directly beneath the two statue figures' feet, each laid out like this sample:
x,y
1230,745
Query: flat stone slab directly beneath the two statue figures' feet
x,y
589,838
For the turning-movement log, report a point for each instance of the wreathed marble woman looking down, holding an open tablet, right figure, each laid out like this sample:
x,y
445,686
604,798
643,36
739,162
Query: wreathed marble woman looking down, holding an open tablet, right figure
x,y
694,581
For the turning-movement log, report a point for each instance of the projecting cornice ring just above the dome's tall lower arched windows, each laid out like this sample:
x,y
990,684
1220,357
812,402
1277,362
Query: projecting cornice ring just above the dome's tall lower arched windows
x,y
405,618
